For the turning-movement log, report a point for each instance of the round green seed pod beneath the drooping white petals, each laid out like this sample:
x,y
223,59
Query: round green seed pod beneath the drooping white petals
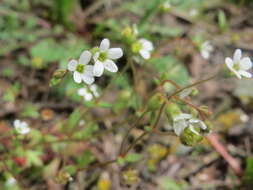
x,y
191,136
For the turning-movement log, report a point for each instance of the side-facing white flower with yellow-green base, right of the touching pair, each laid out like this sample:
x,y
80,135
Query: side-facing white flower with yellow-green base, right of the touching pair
x,y
143,47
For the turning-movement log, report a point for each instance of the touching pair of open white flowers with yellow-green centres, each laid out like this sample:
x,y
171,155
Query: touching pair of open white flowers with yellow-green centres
x,y
103,58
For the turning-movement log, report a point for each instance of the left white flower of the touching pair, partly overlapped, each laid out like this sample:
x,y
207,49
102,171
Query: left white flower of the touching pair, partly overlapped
x,y
82,71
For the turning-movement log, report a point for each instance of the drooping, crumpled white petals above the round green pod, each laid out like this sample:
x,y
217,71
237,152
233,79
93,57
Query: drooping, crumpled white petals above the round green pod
x,y
184,120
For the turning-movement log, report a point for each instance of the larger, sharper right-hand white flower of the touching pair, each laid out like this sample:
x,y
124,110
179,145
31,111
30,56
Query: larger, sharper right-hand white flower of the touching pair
x,y
104,57
